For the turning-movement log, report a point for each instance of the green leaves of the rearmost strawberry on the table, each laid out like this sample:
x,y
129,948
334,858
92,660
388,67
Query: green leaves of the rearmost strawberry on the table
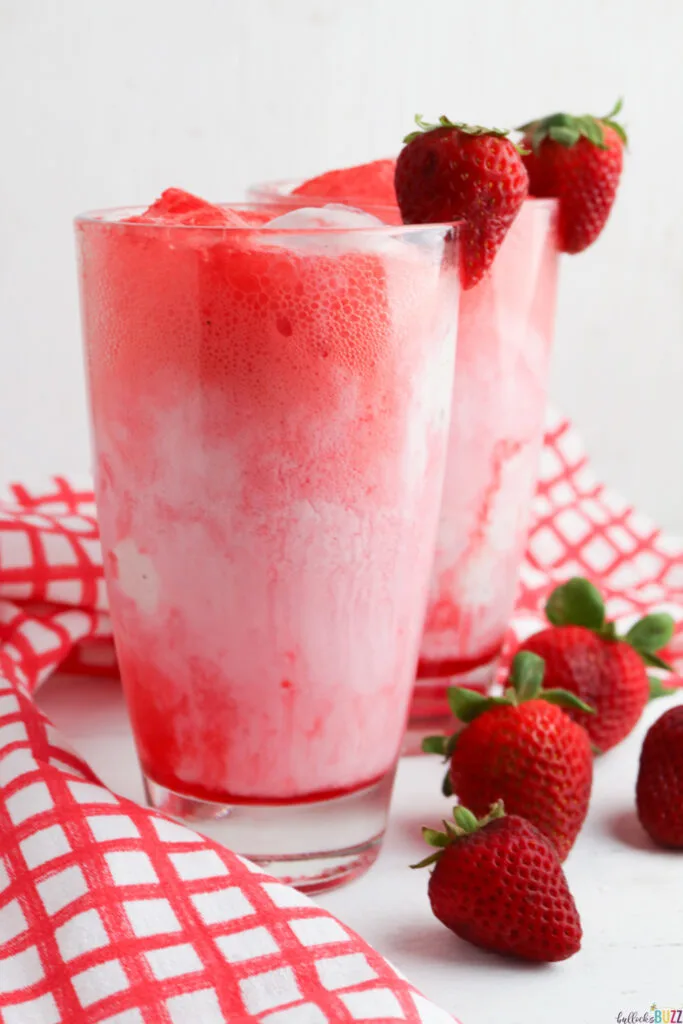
x,y
578,603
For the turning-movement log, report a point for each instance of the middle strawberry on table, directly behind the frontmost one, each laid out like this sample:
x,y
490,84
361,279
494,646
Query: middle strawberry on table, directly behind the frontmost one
x,y
523,749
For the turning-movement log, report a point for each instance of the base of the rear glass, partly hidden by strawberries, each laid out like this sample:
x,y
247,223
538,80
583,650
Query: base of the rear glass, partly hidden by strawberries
x,y
431,715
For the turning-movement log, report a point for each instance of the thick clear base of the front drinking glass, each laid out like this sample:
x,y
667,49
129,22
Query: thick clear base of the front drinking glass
x,y
313,846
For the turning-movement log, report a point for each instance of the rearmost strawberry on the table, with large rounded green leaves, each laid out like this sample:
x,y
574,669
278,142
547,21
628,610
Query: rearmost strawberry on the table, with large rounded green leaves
x,y
584,655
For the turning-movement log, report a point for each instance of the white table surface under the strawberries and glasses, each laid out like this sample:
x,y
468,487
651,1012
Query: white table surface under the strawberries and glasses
x,y
630,894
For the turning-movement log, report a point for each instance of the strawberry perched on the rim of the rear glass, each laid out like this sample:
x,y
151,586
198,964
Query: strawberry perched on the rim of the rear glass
x,y
579,161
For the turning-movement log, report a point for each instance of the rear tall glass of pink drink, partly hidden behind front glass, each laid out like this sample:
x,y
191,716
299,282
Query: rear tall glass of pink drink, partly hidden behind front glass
x,y
501,382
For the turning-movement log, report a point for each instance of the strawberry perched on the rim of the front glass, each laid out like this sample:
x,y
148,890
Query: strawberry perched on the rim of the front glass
x,y
459,173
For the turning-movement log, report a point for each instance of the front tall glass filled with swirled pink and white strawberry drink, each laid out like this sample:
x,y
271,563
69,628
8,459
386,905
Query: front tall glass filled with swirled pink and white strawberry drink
x,y
271,405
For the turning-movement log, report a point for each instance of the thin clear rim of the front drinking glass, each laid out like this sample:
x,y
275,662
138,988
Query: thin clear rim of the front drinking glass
x,y
117,218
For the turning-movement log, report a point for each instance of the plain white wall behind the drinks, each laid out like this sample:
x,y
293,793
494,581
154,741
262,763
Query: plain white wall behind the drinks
x,y
109,103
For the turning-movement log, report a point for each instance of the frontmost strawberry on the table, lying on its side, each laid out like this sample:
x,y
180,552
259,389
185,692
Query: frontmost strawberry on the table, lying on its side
x,y
498,883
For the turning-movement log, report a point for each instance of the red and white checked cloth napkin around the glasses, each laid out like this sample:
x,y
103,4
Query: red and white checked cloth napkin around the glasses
x,y
111,913
